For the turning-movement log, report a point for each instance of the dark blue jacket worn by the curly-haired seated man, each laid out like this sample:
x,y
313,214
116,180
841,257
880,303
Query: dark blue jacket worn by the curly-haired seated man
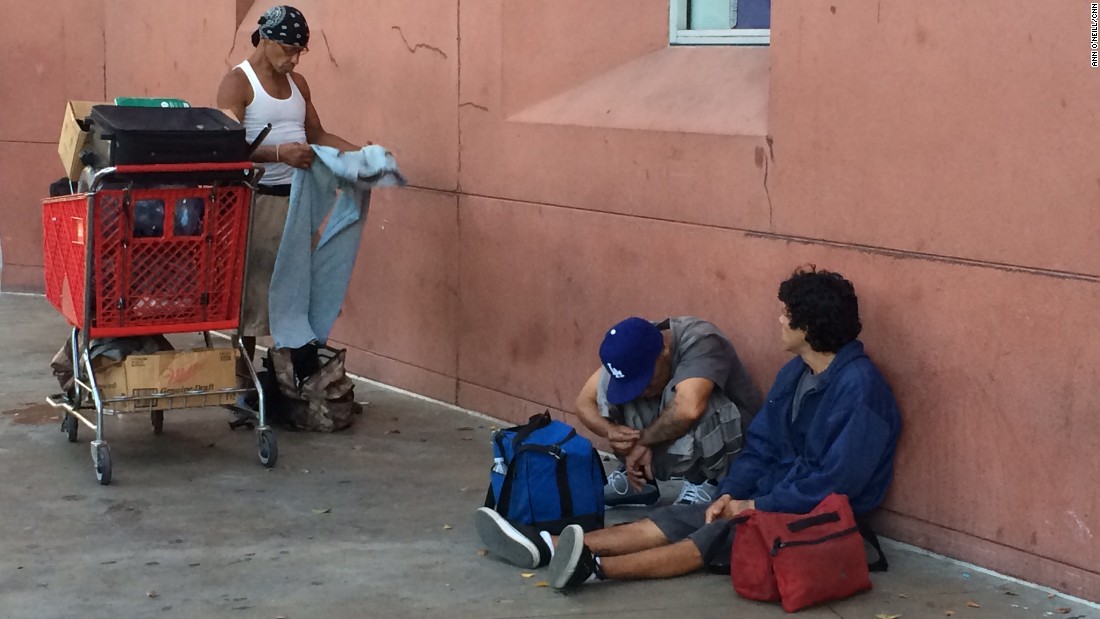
x,y
843,440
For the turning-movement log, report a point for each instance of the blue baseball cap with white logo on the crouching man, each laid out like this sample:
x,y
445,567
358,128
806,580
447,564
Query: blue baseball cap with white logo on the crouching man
x,y
630,355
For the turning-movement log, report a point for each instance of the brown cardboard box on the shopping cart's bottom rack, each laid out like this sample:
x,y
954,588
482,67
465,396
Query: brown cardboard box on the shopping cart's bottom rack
x,y
170,372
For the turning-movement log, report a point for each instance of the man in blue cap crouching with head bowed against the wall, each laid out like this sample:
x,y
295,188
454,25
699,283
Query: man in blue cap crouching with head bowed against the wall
x,y
674,400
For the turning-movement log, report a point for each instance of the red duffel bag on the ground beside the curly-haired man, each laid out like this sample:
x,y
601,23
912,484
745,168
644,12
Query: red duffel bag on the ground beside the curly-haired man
x,y
802,560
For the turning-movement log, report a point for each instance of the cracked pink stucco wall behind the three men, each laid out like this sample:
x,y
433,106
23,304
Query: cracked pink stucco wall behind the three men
x,y
571,169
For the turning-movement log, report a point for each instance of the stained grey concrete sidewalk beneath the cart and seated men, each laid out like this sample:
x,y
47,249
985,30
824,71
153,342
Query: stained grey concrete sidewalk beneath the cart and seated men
x,y
370,523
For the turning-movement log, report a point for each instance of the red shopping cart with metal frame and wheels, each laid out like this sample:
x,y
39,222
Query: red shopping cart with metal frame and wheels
x,y
150,250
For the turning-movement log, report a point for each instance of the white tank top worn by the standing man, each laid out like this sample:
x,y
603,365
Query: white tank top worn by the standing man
x,y
288,118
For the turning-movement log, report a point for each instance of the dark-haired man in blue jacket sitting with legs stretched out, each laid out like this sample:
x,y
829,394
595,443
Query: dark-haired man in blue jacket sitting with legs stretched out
x,y
830,425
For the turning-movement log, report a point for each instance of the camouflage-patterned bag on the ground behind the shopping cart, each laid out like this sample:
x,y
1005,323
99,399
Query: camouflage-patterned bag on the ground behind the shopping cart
x,y
324,402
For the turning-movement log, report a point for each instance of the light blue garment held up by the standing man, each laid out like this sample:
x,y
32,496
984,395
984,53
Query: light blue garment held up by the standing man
x,y
310,284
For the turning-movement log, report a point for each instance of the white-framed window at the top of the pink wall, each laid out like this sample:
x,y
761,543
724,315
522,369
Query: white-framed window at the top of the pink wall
x,y
720,23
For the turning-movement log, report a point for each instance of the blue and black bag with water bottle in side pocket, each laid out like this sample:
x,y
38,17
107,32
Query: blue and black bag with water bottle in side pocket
x,y
546,476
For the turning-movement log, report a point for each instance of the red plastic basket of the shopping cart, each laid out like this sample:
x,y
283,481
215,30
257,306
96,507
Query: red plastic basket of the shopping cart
x,y
164,260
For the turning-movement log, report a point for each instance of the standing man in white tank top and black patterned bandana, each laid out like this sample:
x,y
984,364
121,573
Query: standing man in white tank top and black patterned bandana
x,y
266,90
